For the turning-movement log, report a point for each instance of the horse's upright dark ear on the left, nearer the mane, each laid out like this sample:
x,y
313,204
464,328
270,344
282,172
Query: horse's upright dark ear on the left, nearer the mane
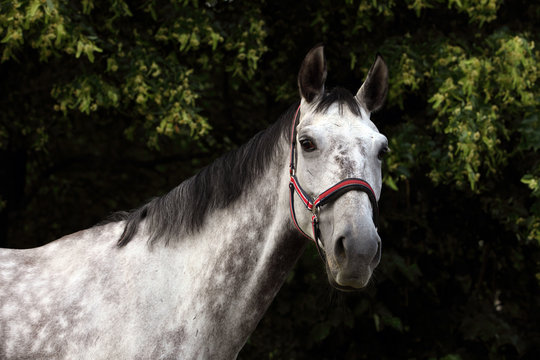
x,y
312,74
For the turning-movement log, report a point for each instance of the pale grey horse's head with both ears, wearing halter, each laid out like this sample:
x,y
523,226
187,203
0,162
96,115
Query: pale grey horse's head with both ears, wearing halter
x,y
336,157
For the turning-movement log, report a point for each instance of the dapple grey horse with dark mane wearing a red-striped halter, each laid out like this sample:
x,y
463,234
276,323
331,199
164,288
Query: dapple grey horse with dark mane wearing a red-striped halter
x,y
188,275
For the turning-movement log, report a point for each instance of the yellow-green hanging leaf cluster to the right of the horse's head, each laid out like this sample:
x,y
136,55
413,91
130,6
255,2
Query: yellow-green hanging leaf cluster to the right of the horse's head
x,y
475,95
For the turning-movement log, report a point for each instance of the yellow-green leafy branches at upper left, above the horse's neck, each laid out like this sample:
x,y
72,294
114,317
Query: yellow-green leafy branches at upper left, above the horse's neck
x,y
127,72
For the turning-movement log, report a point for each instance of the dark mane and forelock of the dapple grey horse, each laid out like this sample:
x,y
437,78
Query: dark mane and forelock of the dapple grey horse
x,y
217,185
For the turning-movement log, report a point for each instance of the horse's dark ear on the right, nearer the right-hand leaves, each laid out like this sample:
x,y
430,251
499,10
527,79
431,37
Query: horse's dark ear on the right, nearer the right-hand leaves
x,y
373,91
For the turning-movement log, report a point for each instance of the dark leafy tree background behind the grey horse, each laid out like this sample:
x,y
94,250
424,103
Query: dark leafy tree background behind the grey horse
x,y
106,104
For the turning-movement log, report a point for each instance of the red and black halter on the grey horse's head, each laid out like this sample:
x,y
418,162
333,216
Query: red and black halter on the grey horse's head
x,y
314,205
